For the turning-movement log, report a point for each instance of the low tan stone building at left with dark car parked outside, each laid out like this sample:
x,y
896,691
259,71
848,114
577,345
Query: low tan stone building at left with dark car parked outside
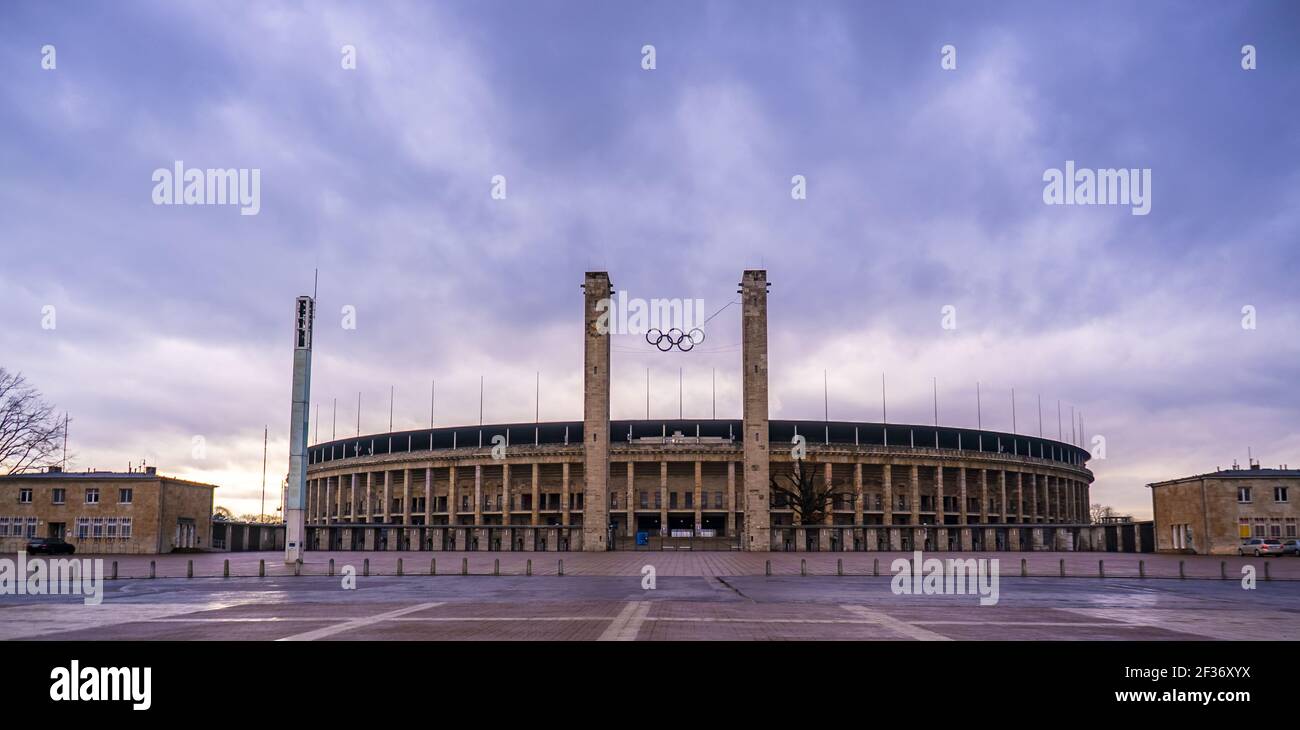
x,y
106,512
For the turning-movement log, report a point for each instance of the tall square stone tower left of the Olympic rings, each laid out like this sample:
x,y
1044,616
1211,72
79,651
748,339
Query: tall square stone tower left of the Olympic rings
x,y
596,411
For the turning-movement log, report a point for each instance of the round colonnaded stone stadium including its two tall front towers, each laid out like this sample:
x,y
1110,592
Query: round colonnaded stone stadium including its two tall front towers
x,y
599,485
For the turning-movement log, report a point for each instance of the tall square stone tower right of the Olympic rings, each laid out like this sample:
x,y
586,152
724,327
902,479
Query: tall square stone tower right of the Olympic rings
x,y
757,453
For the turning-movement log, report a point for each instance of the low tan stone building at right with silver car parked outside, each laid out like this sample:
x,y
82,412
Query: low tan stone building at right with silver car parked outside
x,y
1212,514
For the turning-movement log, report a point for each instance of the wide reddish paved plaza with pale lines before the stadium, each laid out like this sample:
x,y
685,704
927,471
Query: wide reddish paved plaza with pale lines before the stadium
x,y
696,597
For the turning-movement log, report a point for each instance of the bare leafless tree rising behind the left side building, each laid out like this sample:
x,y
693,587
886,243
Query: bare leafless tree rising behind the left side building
x,y
31,432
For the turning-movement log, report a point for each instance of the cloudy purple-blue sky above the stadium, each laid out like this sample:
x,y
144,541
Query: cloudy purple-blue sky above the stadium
x,y
166,332
